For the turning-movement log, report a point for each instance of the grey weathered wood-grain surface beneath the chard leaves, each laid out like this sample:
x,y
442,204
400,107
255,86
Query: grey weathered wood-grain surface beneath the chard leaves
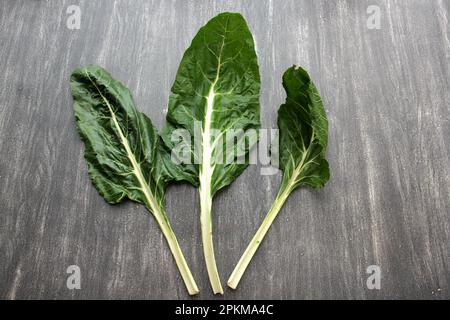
x,y
387,96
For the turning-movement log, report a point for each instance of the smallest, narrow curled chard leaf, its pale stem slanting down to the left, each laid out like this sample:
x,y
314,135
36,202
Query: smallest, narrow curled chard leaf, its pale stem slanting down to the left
x,y
303,141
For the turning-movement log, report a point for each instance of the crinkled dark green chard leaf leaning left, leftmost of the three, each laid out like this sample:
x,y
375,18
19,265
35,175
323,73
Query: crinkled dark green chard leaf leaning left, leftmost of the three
x,y
123,150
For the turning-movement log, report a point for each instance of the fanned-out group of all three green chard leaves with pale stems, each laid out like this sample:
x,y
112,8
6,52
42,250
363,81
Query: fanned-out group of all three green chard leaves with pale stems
x,y
216,91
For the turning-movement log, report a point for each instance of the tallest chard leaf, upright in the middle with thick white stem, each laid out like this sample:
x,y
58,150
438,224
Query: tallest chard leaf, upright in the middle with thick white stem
x,y
217,90
